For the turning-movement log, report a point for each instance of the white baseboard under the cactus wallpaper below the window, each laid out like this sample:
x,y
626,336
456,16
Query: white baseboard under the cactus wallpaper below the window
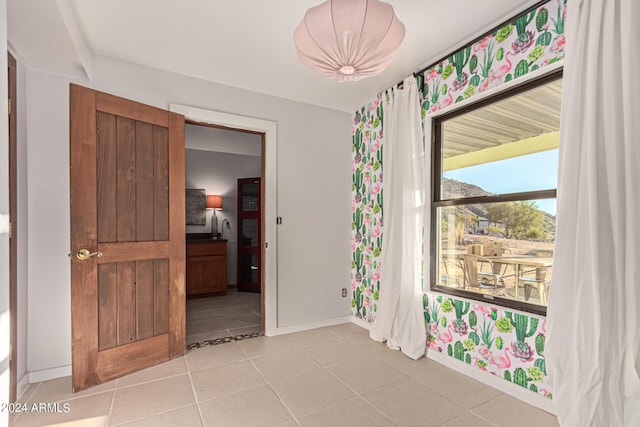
x,y
498,383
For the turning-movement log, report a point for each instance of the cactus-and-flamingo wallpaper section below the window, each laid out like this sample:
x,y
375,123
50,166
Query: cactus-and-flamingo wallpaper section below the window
x,y
500,342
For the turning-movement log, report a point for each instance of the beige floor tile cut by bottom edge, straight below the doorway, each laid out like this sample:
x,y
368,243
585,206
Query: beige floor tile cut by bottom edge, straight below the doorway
x,y
258,407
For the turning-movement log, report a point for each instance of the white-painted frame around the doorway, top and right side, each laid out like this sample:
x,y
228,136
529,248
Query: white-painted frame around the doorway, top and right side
x,y
268,129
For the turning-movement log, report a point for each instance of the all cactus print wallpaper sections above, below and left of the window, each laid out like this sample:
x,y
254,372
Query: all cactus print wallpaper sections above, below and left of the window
x,y
492,339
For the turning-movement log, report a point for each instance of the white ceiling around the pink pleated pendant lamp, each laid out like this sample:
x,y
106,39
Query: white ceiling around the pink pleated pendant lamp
x,y
242,43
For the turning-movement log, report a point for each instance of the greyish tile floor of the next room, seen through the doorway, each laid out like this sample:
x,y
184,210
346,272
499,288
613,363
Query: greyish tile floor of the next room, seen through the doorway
x,y
232,314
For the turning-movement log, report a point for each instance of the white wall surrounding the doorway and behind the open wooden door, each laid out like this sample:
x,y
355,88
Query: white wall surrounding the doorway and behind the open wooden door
x,y
313,189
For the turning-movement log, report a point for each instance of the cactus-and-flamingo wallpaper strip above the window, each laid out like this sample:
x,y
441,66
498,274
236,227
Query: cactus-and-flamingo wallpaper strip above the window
x,y
529,42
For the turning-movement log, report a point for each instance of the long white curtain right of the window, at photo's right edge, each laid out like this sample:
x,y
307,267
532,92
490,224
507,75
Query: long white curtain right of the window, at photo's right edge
x,y
594,303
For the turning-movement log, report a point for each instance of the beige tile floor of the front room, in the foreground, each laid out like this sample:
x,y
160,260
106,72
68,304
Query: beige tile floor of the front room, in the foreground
x,y
334,376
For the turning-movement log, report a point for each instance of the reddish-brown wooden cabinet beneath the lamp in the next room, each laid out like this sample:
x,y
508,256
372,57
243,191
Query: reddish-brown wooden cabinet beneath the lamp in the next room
x,y
206,267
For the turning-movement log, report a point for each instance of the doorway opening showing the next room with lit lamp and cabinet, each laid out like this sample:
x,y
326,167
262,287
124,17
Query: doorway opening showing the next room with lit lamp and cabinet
x,y
223,172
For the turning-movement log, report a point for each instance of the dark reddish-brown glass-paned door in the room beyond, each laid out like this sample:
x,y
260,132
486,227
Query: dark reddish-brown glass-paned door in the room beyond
x,y
249,235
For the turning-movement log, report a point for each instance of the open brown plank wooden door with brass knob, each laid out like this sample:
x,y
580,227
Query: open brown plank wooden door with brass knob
x,y
127,208
